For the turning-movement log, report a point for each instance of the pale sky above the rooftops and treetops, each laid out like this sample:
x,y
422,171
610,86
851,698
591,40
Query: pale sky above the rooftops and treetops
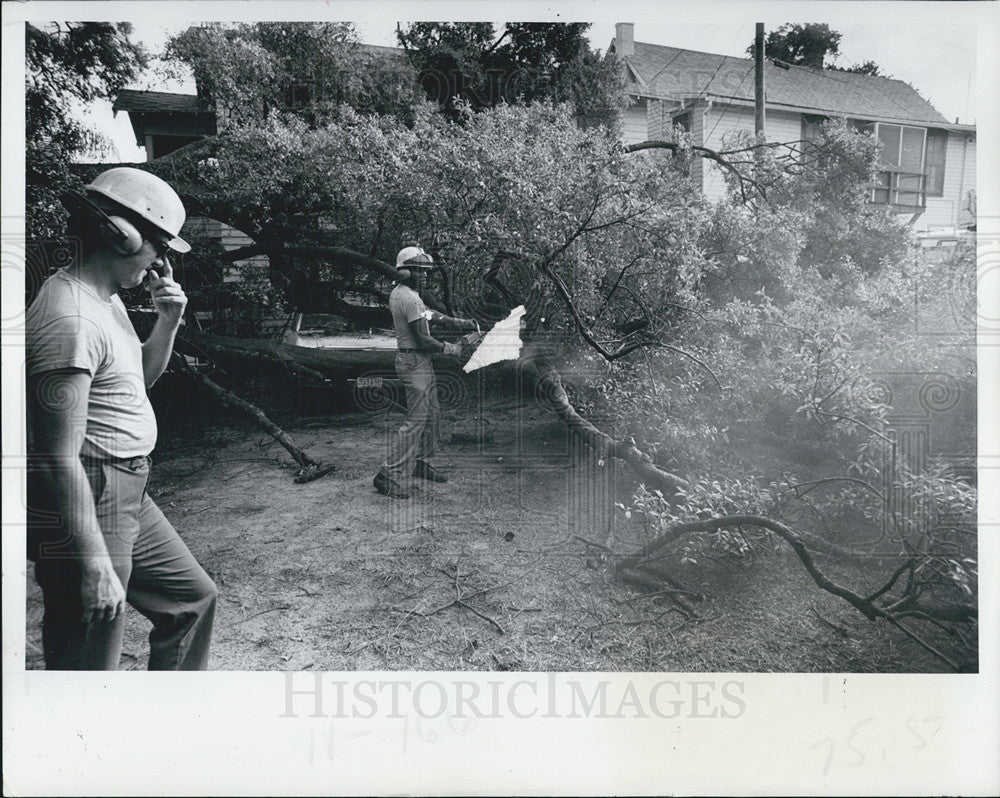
x,y
933,54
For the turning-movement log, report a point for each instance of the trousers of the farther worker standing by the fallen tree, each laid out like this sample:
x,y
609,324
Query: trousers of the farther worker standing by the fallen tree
x,y
416,439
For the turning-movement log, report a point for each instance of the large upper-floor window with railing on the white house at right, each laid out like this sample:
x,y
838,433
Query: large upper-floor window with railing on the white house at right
x,y
902,179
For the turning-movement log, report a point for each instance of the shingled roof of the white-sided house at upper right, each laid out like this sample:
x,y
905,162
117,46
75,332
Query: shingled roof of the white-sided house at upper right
x,y
675,74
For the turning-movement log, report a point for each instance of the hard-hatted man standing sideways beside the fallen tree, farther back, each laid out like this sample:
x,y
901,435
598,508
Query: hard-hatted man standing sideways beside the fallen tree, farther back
x,y
413,444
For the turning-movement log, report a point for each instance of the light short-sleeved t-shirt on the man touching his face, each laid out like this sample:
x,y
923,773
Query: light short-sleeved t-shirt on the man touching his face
x,y
69,326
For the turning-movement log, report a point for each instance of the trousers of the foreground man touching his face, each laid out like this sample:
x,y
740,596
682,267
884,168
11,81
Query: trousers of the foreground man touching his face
x,y
161,577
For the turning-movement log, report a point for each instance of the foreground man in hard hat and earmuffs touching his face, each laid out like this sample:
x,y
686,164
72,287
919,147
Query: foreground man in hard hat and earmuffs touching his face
x,y
97,539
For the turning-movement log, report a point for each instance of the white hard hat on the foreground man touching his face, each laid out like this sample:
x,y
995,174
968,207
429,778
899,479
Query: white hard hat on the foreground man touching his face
x,y
146,195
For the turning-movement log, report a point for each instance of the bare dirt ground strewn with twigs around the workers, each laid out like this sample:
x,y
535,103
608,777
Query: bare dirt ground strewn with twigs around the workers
x,y
486,572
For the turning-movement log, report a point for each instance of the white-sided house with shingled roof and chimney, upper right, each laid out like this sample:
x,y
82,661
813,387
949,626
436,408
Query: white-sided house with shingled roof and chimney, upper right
x,y
928,165
